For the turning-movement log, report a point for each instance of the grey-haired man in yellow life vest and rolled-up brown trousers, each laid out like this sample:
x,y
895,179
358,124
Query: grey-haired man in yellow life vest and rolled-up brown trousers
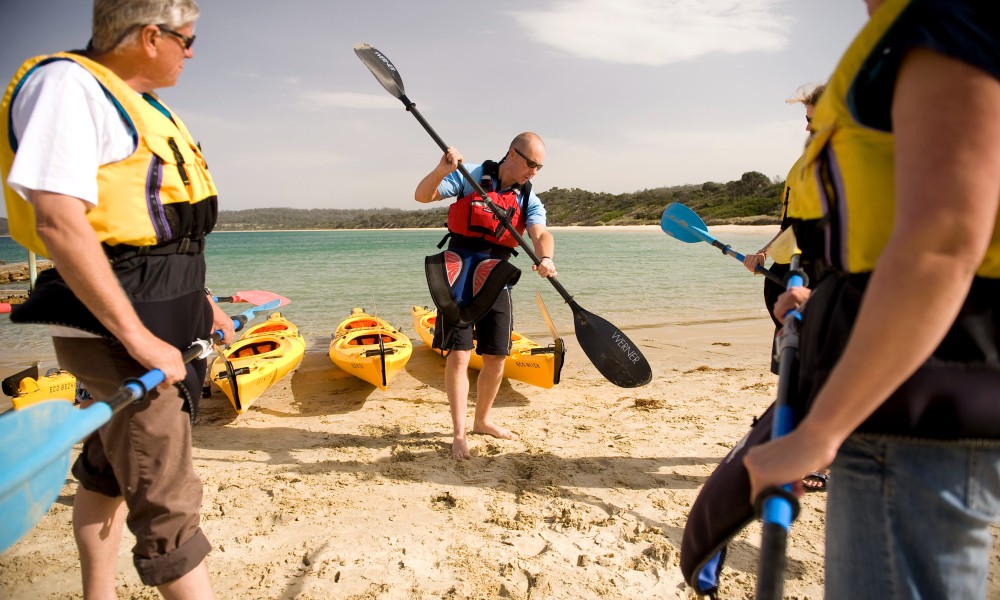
x,y
104,179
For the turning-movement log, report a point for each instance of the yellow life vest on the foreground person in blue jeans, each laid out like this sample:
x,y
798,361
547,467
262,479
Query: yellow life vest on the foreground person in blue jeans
x,y
845,188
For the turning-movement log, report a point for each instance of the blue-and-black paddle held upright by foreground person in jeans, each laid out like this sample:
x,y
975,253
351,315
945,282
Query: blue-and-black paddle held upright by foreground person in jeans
x,y
777,506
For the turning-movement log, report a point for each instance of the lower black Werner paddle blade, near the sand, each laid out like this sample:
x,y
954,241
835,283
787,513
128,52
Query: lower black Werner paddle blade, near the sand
x,y
614,355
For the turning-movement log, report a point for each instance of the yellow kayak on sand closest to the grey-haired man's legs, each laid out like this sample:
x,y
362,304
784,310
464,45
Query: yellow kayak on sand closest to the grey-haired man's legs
x,y
267,352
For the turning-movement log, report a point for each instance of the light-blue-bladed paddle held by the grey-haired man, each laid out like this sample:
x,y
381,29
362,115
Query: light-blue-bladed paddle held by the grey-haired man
x,y
37,441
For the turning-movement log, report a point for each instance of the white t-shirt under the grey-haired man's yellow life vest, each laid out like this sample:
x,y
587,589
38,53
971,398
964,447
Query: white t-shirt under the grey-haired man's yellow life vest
x,y
66,127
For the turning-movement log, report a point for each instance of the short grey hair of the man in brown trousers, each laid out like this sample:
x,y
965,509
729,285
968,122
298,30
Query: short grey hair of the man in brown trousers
x,y
116,21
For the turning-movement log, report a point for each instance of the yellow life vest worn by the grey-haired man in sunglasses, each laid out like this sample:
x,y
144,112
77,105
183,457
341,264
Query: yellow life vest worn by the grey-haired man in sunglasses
x,y
147,199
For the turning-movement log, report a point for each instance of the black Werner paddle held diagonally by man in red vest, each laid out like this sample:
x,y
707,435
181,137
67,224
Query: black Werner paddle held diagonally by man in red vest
x,y
616,357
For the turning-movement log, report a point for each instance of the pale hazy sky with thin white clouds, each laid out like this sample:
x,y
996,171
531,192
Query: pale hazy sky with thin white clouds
x,y
627,94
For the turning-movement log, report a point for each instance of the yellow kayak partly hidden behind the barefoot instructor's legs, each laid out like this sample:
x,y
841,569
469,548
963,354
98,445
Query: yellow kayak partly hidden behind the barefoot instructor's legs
x,y
528,361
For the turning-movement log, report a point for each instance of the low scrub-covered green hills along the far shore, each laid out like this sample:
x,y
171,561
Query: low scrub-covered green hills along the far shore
x,y
754,199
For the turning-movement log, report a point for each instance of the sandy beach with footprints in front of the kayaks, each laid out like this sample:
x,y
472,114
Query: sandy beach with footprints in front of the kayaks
x,y
329,488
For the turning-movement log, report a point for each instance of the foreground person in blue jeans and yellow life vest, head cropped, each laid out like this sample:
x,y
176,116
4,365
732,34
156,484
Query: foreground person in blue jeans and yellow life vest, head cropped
x,y
900,339
